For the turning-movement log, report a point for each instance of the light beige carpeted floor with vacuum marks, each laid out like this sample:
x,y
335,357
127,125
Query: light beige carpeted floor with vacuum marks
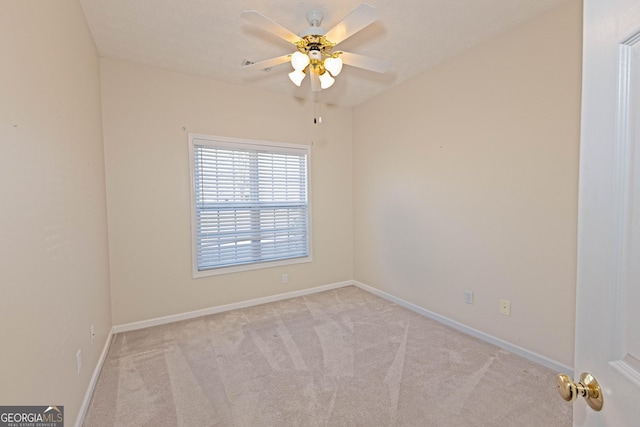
x,y
338,358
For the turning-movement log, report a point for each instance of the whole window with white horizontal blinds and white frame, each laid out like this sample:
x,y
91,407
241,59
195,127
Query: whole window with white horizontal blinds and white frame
x,y
249,204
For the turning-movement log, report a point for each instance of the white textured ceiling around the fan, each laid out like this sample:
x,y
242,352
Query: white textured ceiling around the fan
x,y
208,38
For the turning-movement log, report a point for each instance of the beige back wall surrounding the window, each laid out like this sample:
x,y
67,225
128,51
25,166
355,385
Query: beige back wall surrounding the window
x,y
147,115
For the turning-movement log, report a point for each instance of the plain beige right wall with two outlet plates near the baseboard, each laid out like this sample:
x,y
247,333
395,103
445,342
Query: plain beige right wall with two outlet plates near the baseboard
x,y
466,178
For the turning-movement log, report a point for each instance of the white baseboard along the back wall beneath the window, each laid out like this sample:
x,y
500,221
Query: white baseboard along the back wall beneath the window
x,y
222,308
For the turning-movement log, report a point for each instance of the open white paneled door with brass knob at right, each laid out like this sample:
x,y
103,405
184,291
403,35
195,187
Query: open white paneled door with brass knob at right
x,y
608,298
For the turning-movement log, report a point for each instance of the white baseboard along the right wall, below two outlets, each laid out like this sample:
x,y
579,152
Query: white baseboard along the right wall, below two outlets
x,y
523,352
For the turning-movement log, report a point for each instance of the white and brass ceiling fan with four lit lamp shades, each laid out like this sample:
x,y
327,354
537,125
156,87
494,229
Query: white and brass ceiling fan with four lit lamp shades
x,y
315,54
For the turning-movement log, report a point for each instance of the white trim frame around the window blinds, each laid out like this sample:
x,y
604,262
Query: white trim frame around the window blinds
x,y
219,141
